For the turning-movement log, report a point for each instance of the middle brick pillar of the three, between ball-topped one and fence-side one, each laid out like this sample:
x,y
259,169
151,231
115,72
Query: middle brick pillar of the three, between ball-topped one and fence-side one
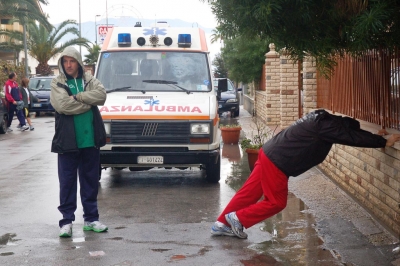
x,y
289,80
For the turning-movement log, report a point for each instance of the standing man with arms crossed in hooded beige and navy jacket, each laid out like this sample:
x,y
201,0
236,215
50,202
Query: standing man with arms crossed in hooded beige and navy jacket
x,y
79,133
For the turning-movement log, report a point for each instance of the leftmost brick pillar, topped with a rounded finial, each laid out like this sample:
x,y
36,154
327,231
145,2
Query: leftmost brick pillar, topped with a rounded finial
x,y
272,74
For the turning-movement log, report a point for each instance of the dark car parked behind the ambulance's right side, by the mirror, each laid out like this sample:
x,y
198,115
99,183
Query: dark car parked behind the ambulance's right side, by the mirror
x,y
229,100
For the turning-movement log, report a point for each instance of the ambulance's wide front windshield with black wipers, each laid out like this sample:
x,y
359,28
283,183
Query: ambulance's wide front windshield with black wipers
x,y
154,71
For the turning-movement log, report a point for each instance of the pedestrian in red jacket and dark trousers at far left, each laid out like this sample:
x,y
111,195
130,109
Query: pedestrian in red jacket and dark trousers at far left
x,y
13,96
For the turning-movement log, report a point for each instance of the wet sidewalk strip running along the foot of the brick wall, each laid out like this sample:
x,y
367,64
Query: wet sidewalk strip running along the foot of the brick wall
x,y
346,228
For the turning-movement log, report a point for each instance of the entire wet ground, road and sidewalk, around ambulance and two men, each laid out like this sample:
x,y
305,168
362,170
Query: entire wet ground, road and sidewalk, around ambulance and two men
x,y
163,217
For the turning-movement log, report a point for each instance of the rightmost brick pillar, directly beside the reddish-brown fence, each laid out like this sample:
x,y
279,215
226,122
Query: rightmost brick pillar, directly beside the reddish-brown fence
x,y
309,84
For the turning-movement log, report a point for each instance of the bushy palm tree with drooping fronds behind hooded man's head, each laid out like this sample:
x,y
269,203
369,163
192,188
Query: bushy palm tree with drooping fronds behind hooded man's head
x,y
43,44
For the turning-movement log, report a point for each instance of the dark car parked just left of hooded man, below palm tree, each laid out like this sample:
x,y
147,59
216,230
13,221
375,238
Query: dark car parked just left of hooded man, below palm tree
x,y
40,87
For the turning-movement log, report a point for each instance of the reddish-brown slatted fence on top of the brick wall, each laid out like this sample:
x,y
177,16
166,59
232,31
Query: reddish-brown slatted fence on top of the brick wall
x,y
365,87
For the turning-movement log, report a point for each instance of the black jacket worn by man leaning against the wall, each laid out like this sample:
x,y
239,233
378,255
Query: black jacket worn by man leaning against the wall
x,y
308,141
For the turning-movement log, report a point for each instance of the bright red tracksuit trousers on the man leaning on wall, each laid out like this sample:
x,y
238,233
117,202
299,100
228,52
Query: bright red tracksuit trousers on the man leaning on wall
x,y
265,180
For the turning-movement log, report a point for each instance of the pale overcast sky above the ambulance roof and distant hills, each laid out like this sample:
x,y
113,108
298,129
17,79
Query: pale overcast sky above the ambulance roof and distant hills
x,y
194,11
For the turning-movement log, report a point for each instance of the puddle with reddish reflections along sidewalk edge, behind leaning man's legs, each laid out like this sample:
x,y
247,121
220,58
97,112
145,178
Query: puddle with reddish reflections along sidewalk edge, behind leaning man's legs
x,y
287,238
